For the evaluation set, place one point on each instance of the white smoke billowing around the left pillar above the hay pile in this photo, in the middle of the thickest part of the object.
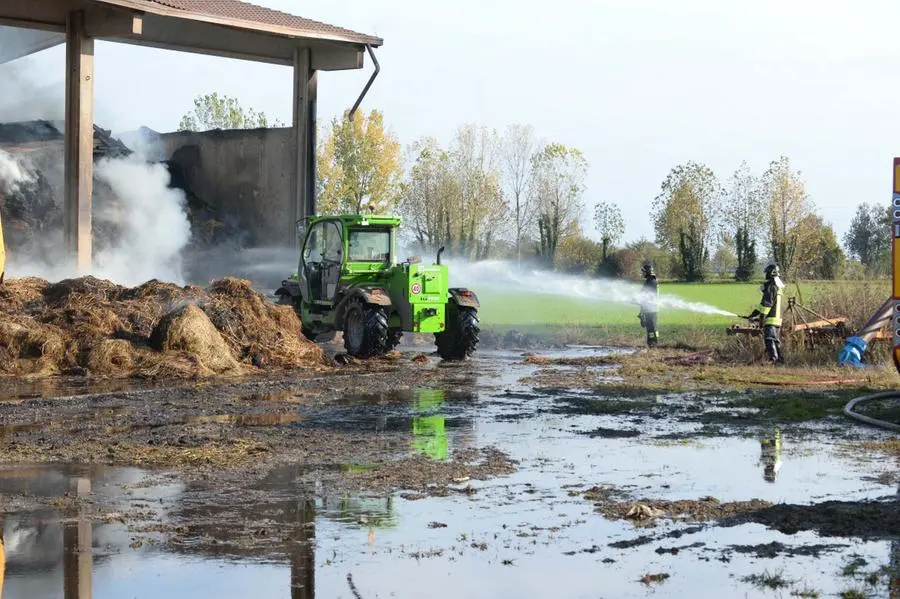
(140, 225)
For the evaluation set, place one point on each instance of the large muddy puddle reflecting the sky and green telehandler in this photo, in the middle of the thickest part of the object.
(107, 533)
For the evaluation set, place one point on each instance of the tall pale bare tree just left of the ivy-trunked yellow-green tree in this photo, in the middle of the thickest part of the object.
(518, 150)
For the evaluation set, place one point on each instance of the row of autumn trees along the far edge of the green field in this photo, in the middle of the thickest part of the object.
(511, 195)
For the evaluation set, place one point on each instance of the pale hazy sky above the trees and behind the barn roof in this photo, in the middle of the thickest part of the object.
(637, 85)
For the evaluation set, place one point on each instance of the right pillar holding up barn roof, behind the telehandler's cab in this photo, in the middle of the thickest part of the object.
(301, 177)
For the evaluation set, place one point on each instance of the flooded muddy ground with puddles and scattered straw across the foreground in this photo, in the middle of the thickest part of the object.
(574, 472)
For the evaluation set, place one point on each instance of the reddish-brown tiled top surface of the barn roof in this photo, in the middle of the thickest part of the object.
(245, 11)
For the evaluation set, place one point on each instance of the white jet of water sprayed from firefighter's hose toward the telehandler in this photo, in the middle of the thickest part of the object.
(500, 275)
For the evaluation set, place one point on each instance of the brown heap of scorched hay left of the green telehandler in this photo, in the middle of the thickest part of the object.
(93, 327)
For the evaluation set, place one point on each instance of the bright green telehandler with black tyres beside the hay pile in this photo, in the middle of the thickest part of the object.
(348, 279)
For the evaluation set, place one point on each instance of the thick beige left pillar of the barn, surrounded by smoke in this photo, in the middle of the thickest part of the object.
(79, 142)
